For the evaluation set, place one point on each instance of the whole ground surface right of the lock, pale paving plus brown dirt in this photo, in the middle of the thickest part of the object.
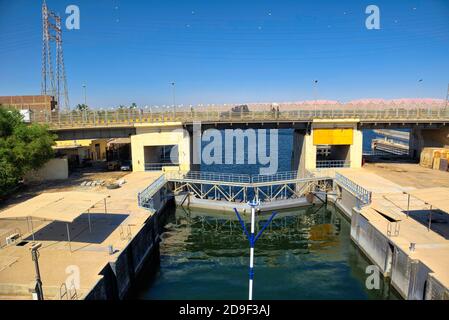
(388, 183)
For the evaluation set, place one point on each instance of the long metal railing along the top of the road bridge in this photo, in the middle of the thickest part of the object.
(370, 112)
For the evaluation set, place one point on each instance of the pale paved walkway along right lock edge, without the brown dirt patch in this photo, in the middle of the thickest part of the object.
(432, 246)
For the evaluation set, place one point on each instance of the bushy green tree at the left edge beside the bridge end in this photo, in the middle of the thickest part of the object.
(23, 147)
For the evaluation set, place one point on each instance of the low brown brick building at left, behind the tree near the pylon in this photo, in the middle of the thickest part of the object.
(33, 103)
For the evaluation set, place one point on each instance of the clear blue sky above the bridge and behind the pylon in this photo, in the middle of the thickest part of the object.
(232, 51)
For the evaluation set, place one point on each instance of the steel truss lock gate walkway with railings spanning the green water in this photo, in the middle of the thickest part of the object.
(231, 186)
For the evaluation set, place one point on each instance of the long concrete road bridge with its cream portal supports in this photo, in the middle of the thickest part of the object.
(338, 127)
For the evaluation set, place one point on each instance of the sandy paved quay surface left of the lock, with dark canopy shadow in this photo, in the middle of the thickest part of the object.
(89, 250)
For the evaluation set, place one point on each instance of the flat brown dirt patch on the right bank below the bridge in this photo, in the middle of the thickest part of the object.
(410, 174)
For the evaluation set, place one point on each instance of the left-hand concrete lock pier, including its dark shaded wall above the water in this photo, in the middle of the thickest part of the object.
(87, 270)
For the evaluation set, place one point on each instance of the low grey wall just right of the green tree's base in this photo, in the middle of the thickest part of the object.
(55, 169)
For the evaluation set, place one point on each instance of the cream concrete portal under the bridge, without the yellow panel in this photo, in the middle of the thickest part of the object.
(158, 135)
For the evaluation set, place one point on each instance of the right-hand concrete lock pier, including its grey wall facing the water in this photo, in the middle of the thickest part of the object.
(415, 258)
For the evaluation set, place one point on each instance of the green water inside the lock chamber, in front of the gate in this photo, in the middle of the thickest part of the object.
(306, 253)
